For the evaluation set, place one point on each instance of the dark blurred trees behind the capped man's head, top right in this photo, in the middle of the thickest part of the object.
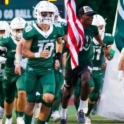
(106, 8)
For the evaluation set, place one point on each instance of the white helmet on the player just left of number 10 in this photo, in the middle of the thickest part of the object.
(17, 23)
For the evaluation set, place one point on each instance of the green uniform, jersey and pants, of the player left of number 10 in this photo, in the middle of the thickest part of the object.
(11, 81)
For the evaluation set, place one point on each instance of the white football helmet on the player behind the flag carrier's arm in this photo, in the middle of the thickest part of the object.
(98, 20)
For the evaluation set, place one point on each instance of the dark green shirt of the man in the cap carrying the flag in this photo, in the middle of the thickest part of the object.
(87, 53)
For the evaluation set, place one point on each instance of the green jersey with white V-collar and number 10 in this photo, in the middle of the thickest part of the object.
(42, 41)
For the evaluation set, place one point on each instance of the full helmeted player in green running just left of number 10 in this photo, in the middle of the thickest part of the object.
(12, 82)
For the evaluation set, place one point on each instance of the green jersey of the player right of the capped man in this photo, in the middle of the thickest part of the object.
(108, 39)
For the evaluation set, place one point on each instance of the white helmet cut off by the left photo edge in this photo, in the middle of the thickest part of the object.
(4, 26)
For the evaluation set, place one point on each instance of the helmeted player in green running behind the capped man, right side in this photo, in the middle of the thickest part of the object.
(97, 73)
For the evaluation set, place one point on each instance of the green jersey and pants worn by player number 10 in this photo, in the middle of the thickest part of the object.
(41, 70)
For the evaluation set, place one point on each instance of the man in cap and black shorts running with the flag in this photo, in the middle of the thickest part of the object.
(85, 67)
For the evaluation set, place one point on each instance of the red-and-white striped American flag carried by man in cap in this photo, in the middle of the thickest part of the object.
(75, 36)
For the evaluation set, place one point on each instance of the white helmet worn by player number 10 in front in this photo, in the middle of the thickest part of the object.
(44, 6)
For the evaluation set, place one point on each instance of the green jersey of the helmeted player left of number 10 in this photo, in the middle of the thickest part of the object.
(9, 43)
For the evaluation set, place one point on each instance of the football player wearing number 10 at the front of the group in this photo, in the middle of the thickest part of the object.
(39, 45)
